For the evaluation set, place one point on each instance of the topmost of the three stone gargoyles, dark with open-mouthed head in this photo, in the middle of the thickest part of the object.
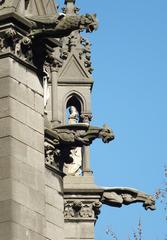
(61, 26)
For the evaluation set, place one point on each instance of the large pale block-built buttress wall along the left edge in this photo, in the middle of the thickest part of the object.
(22, 181)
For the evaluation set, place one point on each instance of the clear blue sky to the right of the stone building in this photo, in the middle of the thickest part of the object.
(129, 55)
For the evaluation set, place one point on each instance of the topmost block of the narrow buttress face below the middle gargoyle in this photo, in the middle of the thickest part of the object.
(53, 181)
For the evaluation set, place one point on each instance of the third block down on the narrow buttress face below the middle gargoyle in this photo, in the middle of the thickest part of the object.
(55, 216)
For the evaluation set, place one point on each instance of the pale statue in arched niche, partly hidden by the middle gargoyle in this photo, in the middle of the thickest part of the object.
(74, 168)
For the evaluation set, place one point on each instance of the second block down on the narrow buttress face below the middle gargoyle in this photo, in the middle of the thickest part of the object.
(54, 198)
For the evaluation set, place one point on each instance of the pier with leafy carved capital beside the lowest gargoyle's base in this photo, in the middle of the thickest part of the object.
(81, 211)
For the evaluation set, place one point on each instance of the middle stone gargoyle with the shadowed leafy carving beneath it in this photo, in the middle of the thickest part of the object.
(66, 138)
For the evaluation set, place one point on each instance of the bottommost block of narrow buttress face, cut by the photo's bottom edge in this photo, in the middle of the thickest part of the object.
(53, 232)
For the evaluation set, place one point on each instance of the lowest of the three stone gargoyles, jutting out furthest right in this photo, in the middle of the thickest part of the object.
(116, 197)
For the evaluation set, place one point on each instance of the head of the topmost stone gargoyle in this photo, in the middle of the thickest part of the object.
(89, 22)
